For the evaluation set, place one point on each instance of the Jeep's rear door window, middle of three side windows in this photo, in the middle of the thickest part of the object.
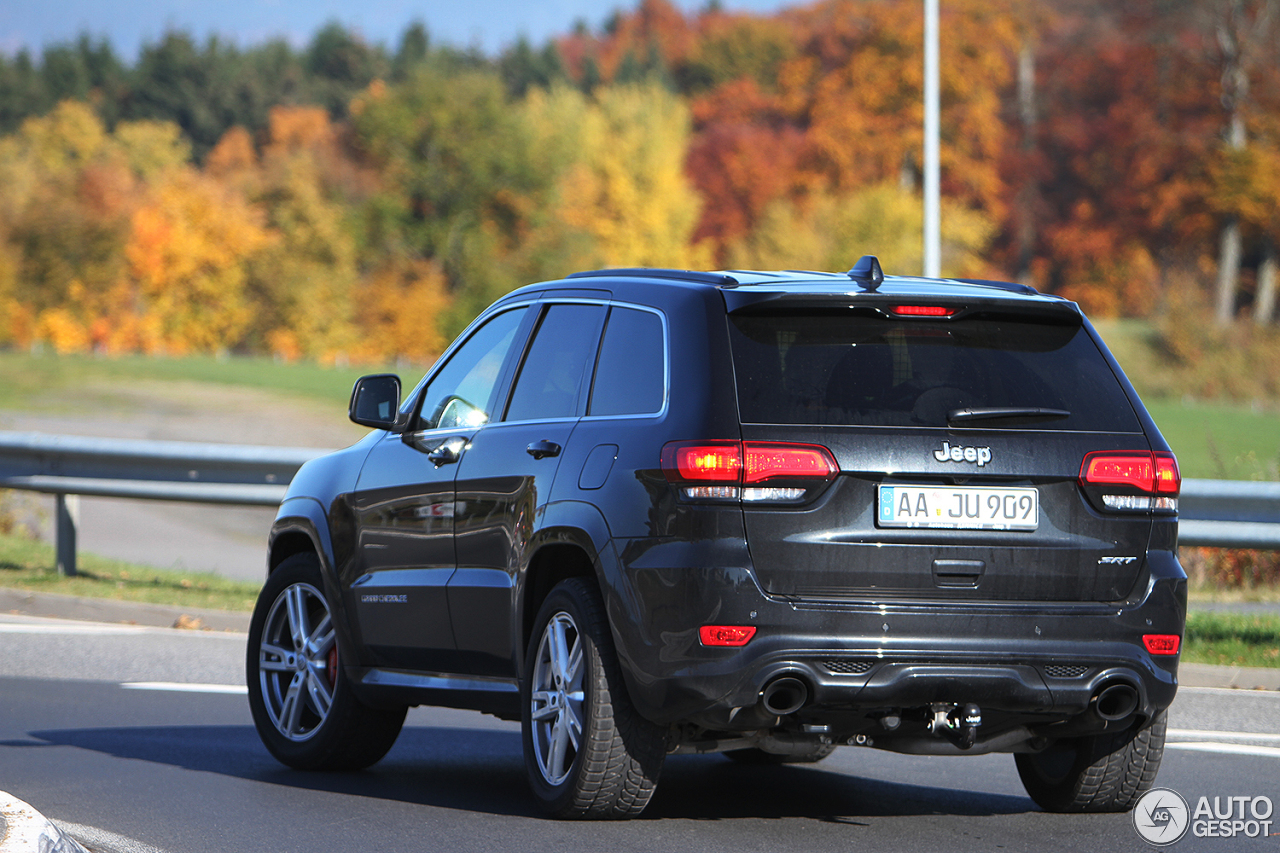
(552, 376)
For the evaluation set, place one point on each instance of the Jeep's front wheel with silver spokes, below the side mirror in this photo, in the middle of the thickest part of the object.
(303, 705)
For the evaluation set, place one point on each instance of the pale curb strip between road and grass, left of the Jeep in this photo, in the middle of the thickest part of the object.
(107, 610)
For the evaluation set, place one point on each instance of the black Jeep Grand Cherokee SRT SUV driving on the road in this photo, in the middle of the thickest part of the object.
(655, 512)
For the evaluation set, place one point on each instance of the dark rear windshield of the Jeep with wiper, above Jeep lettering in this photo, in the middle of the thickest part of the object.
(854, 370)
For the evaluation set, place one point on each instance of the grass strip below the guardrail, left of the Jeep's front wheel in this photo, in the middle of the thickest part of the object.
(30, 565)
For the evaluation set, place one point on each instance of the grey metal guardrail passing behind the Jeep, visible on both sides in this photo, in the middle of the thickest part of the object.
(1226, 514)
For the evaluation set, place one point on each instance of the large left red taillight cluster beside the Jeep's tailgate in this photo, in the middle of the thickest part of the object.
(757, 472)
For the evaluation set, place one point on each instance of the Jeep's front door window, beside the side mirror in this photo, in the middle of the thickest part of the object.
(461, 394)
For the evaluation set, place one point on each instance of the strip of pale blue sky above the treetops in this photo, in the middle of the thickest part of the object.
(490, 25)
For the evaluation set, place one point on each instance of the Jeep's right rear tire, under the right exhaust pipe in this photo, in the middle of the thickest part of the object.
(1107, 773)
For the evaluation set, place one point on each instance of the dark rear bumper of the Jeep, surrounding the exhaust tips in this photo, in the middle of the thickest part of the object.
(1027, 664)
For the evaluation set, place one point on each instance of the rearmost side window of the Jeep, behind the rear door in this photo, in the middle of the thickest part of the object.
(630, 378)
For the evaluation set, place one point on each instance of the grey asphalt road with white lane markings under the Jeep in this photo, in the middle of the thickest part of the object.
(162, 769)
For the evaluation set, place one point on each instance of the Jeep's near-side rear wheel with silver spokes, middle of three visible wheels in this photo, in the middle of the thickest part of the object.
(588, 754)
